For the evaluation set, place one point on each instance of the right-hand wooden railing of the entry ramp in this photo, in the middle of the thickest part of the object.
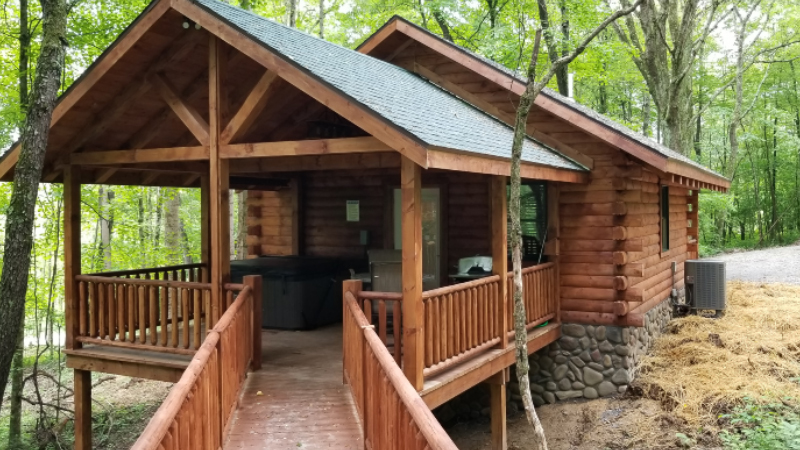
(393, 415)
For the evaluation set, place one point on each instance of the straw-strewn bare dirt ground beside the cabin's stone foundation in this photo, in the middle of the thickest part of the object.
(699, 370)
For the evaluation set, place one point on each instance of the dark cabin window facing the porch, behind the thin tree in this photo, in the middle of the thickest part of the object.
(533, 219)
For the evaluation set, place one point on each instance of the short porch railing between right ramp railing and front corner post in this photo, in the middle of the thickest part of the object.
(384, 308)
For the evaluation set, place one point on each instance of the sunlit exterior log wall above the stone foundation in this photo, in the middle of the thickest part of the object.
(611, 255)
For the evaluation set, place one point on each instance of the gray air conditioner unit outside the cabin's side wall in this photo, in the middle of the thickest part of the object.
(705, 284)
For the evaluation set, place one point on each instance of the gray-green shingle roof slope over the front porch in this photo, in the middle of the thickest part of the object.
(431, 114)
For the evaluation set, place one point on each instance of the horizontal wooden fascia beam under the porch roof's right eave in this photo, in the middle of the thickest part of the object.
(468, 162)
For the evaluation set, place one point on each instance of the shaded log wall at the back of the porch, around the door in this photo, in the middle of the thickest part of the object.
(323, 230)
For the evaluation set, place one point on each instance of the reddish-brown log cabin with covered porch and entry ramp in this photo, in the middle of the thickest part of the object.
(384, 172)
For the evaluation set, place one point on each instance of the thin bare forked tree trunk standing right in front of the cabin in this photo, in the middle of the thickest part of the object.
(532, 90)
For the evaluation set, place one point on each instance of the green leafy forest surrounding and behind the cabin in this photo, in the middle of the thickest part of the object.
(716, 80)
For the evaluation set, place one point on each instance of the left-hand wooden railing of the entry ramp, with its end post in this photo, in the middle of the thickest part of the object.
(198, 409)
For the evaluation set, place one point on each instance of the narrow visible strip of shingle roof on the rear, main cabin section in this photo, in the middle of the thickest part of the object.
(647, 142)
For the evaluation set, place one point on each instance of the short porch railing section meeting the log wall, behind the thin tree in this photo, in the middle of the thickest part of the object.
(540, 294)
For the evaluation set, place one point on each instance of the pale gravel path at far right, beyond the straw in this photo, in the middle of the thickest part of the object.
(772, 265)
